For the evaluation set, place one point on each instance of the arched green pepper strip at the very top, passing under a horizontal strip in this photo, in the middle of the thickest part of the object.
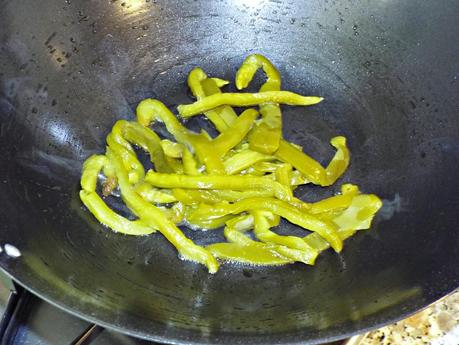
(266, 134)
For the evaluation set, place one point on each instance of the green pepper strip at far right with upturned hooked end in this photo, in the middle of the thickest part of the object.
(312, 169)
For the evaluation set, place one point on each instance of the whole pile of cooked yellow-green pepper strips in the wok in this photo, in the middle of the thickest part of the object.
(242, 180)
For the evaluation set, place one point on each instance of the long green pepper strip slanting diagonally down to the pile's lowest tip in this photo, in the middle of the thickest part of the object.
(152, 215)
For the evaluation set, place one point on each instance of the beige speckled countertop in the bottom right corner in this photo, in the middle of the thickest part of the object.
(435, 325)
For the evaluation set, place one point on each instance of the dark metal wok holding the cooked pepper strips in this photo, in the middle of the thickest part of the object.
(388, 71)
